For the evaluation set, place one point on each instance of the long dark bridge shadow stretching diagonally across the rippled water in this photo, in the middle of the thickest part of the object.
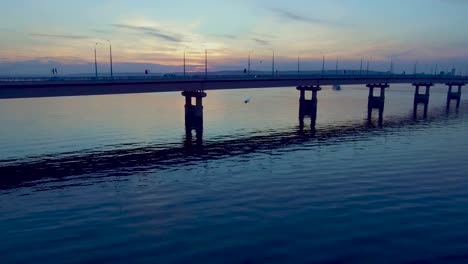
(126, 162)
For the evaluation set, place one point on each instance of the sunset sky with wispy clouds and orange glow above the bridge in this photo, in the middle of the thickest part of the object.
(153, 33)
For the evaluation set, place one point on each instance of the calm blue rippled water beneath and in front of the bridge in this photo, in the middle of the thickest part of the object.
(116, 179)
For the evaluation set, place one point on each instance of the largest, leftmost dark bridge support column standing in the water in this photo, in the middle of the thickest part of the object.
(194, 114)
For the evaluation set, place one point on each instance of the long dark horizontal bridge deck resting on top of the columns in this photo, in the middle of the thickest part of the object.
(70, 87)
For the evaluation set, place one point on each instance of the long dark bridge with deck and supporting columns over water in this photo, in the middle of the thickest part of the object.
(196, 87)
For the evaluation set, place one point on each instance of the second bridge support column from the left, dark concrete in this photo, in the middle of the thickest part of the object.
(308, 107)
